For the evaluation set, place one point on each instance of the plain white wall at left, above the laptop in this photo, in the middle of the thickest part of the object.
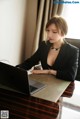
(12, 15)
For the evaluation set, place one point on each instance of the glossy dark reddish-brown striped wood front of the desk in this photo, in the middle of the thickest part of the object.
(27, 107)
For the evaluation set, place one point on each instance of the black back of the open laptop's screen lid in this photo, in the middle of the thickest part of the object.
(13, 78)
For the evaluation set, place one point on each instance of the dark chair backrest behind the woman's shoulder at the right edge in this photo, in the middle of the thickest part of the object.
(76, 42)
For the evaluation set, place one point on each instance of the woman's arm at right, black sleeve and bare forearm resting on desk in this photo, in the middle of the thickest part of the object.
(68, 72)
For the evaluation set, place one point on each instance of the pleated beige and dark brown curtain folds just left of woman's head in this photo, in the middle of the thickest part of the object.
(47, 9)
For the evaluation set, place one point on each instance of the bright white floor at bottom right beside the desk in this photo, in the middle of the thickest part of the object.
(71, 106)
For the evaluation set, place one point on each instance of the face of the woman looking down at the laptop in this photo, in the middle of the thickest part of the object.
(53, 35)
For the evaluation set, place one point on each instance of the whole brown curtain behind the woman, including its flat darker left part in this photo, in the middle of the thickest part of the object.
(45, 9)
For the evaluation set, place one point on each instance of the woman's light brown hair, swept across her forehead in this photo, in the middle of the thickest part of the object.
(60, 23)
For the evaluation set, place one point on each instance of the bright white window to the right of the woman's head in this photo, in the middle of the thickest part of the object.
(72, 16)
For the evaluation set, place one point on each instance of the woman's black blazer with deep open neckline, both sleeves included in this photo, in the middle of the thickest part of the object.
(66, 63)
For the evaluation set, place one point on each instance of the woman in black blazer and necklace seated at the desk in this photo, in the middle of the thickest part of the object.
(56, 55)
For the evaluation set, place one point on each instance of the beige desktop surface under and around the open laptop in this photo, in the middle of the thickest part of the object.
(54, 87)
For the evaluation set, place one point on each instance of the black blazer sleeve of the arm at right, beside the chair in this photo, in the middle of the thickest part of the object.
(69, 73)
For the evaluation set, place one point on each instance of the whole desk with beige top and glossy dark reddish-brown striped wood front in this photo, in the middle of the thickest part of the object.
(41, 105)
